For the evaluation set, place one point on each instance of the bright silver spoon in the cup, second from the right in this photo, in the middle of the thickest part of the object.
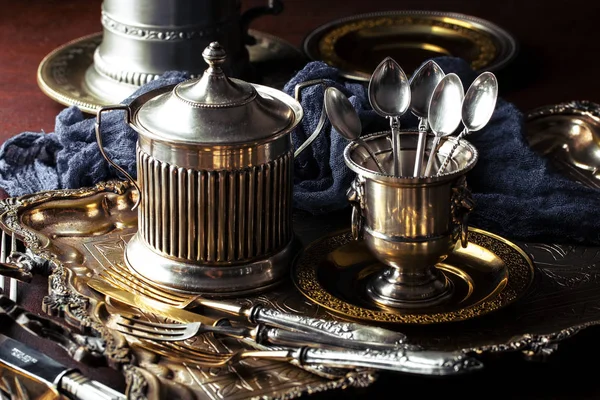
(444, 112)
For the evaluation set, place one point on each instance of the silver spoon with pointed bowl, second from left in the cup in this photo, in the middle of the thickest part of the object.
(389, 95)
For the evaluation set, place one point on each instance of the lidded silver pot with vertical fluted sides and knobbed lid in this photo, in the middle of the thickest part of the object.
(214, 169)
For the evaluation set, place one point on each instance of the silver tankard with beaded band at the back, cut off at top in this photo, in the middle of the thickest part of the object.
(142, 39)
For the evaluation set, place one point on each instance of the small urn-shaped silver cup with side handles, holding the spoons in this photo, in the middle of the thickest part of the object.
(410, 224)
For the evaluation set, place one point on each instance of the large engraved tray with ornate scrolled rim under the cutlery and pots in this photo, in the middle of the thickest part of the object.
(82, 230)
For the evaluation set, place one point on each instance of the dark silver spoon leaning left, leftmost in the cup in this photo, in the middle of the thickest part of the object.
(344, 119)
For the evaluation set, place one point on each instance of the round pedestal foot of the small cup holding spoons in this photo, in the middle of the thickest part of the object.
(397, 289)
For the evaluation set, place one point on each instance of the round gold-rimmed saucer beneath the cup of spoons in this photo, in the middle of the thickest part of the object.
(489, 274)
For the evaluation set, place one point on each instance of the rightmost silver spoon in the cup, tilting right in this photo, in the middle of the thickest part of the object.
(477, 109)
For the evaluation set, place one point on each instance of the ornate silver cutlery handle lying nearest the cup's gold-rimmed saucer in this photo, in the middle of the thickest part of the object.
(330, 332)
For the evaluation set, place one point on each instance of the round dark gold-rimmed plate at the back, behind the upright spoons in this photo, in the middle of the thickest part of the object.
(357, 44)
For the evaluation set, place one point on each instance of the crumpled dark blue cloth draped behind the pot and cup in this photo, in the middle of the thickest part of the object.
(517, 193)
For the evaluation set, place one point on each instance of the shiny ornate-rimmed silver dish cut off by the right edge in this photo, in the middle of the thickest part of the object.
(569, 135)
